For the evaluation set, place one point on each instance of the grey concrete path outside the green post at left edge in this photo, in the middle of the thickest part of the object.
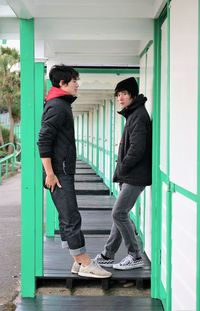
(9, 239)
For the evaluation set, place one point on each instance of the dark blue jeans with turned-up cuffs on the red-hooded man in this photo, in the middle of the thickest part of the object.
(69, 217)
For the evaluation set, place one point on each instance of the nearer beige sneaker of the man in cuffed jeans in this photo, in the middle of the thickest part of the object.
(93, 270)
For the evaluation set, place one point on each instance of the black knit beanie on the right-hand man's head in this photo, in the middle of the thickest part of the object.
(130, 85)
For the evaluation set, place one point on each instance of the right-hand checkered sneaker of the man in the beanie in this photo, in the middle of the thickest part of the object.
(129, 263)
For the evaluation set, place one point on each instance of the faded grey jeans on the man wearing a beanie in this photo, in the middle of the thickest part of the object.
(122, 226)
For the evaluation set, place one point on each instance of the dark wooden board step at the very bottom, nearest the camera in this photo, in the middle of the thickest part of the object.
(98, 303)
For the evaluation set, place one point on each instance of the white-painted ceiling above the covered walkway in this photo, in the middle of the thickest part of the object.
(98, 33)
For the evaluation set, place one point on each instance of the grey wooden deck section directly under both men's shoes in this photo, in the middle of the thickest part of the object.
(58, 262)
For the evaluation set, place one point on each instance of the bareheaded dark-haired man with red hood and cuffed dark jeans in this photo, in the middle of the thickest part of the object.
(58, 153)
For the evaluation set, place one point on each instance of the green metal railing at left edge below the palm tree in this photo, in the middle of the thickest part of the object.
(7, 161)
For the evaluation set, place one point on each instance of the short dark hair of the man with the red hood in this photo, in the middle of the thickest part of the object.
(62, 72)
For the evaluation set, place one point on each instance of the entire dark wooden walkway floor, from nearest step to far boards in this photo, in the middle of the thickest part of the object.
(95, 205)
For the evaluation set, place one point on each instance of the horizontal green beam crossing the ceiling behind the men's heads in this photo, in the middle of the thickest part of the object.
(104, 70)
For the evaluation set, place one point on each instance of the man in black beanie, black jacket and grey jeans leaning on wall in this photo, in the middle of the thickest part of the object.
(133, 173)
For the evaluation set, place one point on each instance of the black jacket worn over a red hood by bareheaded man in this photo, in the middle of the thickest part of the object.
(56, 137)
